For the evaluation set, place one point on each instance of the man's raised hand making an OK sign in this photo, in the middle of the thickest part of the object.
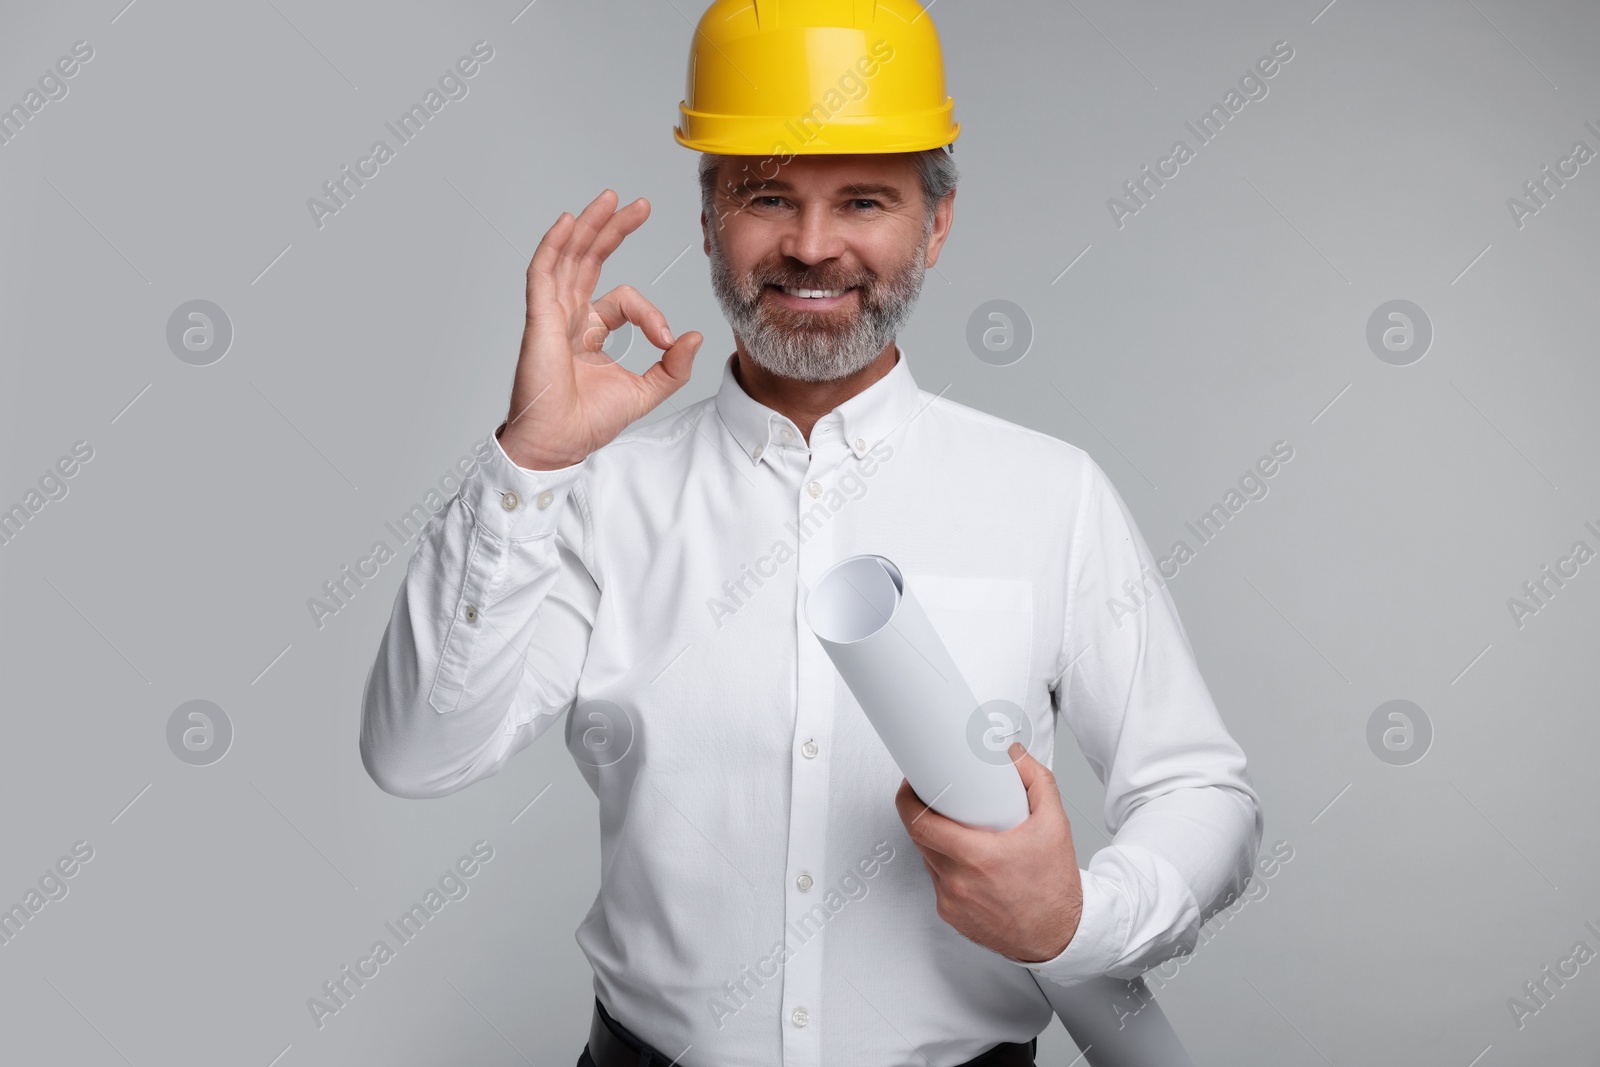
(570, 398)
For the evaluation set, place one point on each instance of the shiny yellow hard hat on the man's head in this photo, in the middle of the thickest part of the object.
(806, 78)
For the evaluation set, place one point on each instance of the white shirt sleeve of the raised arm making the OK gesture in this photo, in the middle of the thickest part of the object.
(489, 633)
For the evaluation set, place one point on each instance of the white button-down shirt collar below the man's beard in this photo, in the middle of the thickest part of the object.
(862, 422)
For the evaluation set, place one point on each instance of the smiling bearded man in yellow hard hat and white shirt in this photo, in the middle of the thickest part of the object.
(759, 901)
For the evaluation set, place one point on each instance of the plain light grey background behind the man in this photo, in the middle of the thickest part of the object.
(1228, 314)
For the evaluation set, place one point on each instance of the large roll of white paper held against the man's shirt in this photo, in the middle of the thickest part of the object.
(868, 620)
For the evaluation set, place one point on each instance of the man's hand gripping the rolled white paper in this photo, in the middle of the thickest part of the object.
(1015, 892)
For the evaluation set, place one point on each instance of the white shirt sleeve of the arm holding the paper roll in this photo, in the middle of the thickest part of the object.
(1180, 804)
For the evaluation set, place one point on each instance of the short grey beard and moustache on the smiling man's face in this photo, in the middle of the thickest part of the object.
(831, 348)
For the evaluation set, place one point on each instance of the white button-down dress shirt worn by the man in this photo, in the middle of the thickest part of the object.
(761, 901)
